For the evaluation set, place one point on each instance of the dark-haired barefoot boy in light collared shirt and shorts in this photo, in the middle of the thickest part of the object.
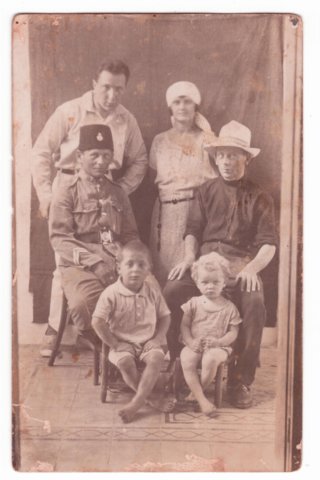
(132, 317)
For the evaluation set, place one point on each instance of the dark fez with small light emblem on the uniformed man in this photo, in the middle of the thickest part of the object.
(95, 136)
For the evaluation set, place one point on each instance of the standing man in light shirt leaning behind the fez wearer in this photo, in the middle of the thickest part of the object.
(57, 144)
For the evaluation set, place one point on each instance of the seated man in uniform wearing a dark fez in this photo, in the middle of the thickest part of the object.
(88, 220)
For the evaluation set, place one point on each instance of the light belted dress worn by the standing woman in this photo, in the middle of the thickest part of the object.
(179, 170)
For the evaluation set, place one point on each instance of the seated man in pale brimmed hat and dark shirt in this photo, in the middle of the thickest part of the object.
(235, 218)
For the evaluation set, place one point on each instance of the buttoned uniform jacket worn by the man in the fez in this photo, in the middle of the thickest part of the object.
(73, 223)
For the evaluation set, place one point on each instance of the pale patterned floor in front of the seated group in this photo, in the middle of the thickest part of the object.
(65, 427)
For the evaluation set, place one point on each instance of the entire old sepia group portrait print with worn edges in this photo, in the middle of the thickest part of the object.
(157, 315)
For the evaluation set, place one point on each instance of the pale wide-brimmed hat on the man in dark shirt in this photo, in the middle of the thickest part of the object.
(233, 134)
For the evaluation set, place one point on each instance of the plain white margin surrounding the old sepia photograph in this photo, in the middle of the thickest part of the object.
(311, 20)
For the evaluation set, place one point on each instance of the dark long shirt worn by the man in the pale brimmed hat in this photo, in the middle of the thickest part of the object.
(235, 218)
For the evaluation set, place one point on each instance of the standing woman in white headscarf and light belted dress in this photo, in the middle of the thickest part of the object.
(179, 164)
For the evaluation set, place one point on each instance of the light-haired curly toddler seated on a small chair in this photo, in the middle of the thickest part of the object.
(209, 326)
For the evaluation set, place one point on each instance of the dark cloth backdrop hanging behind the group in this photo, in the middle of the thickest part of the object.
(235, 60)
